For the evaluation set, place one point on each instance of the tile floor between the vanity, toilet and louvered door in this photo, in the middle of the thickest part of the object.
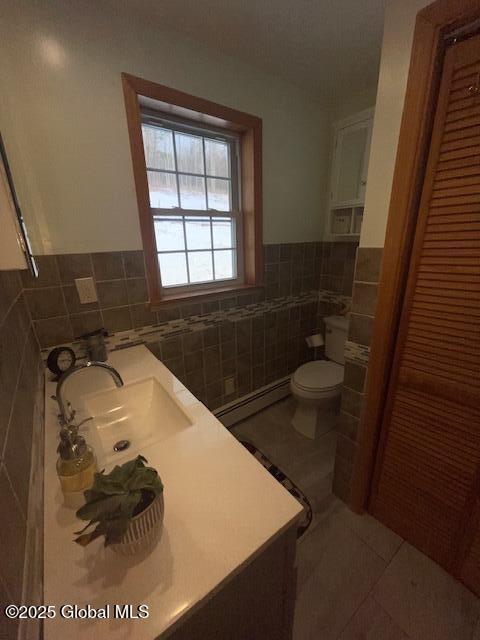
(357, 580)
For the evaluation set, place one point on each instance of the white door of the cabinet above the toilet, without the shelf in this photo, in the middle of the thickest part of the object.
(350, 165)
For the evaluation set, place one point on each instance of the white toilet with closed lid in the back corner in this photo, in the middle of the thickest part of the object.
(317, 385)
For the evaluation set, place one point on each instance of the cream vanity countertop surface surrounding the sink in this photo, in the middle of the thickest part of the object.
(221, 509)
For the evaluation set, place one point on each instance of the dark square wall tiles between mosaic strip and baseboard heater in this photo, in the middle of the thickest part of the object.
(254, 345)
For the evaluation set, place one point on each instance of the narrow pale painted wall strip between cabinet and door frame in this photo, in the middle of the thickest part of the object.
(397, 43)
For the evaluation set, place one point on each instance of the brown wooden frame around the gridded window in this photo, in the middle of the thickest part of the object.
(172, 103)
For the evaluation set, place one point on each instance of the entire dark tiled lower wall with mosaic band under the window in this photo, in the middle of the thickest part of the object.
(253, 337)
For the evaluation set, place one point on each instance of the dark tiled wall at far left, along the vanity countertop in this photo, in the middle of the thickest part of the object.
(21, 396)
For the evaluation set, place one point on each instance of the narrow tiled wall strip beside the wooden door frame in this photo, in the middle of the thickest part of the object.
(365, 288)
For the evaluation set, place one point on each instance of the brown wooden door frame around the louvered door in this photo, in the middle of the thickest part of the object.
(432, 24)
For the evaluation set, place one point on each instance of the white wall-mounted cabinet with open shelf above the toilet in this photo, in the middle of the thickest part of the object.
(348, 175)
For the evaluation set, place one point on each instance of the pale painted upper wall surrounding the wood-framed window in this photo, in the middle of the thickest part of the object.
(64, 125)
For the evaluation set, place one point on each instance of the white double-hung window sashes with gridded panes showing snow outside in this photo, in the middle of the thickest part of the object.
(192, 178)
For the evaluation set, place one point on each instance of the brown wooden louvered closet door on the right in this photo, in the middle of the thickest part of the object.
(425, 483)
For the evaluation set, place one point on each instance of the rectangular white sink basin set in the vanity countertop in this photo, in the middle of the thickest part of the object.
(141, 413)
